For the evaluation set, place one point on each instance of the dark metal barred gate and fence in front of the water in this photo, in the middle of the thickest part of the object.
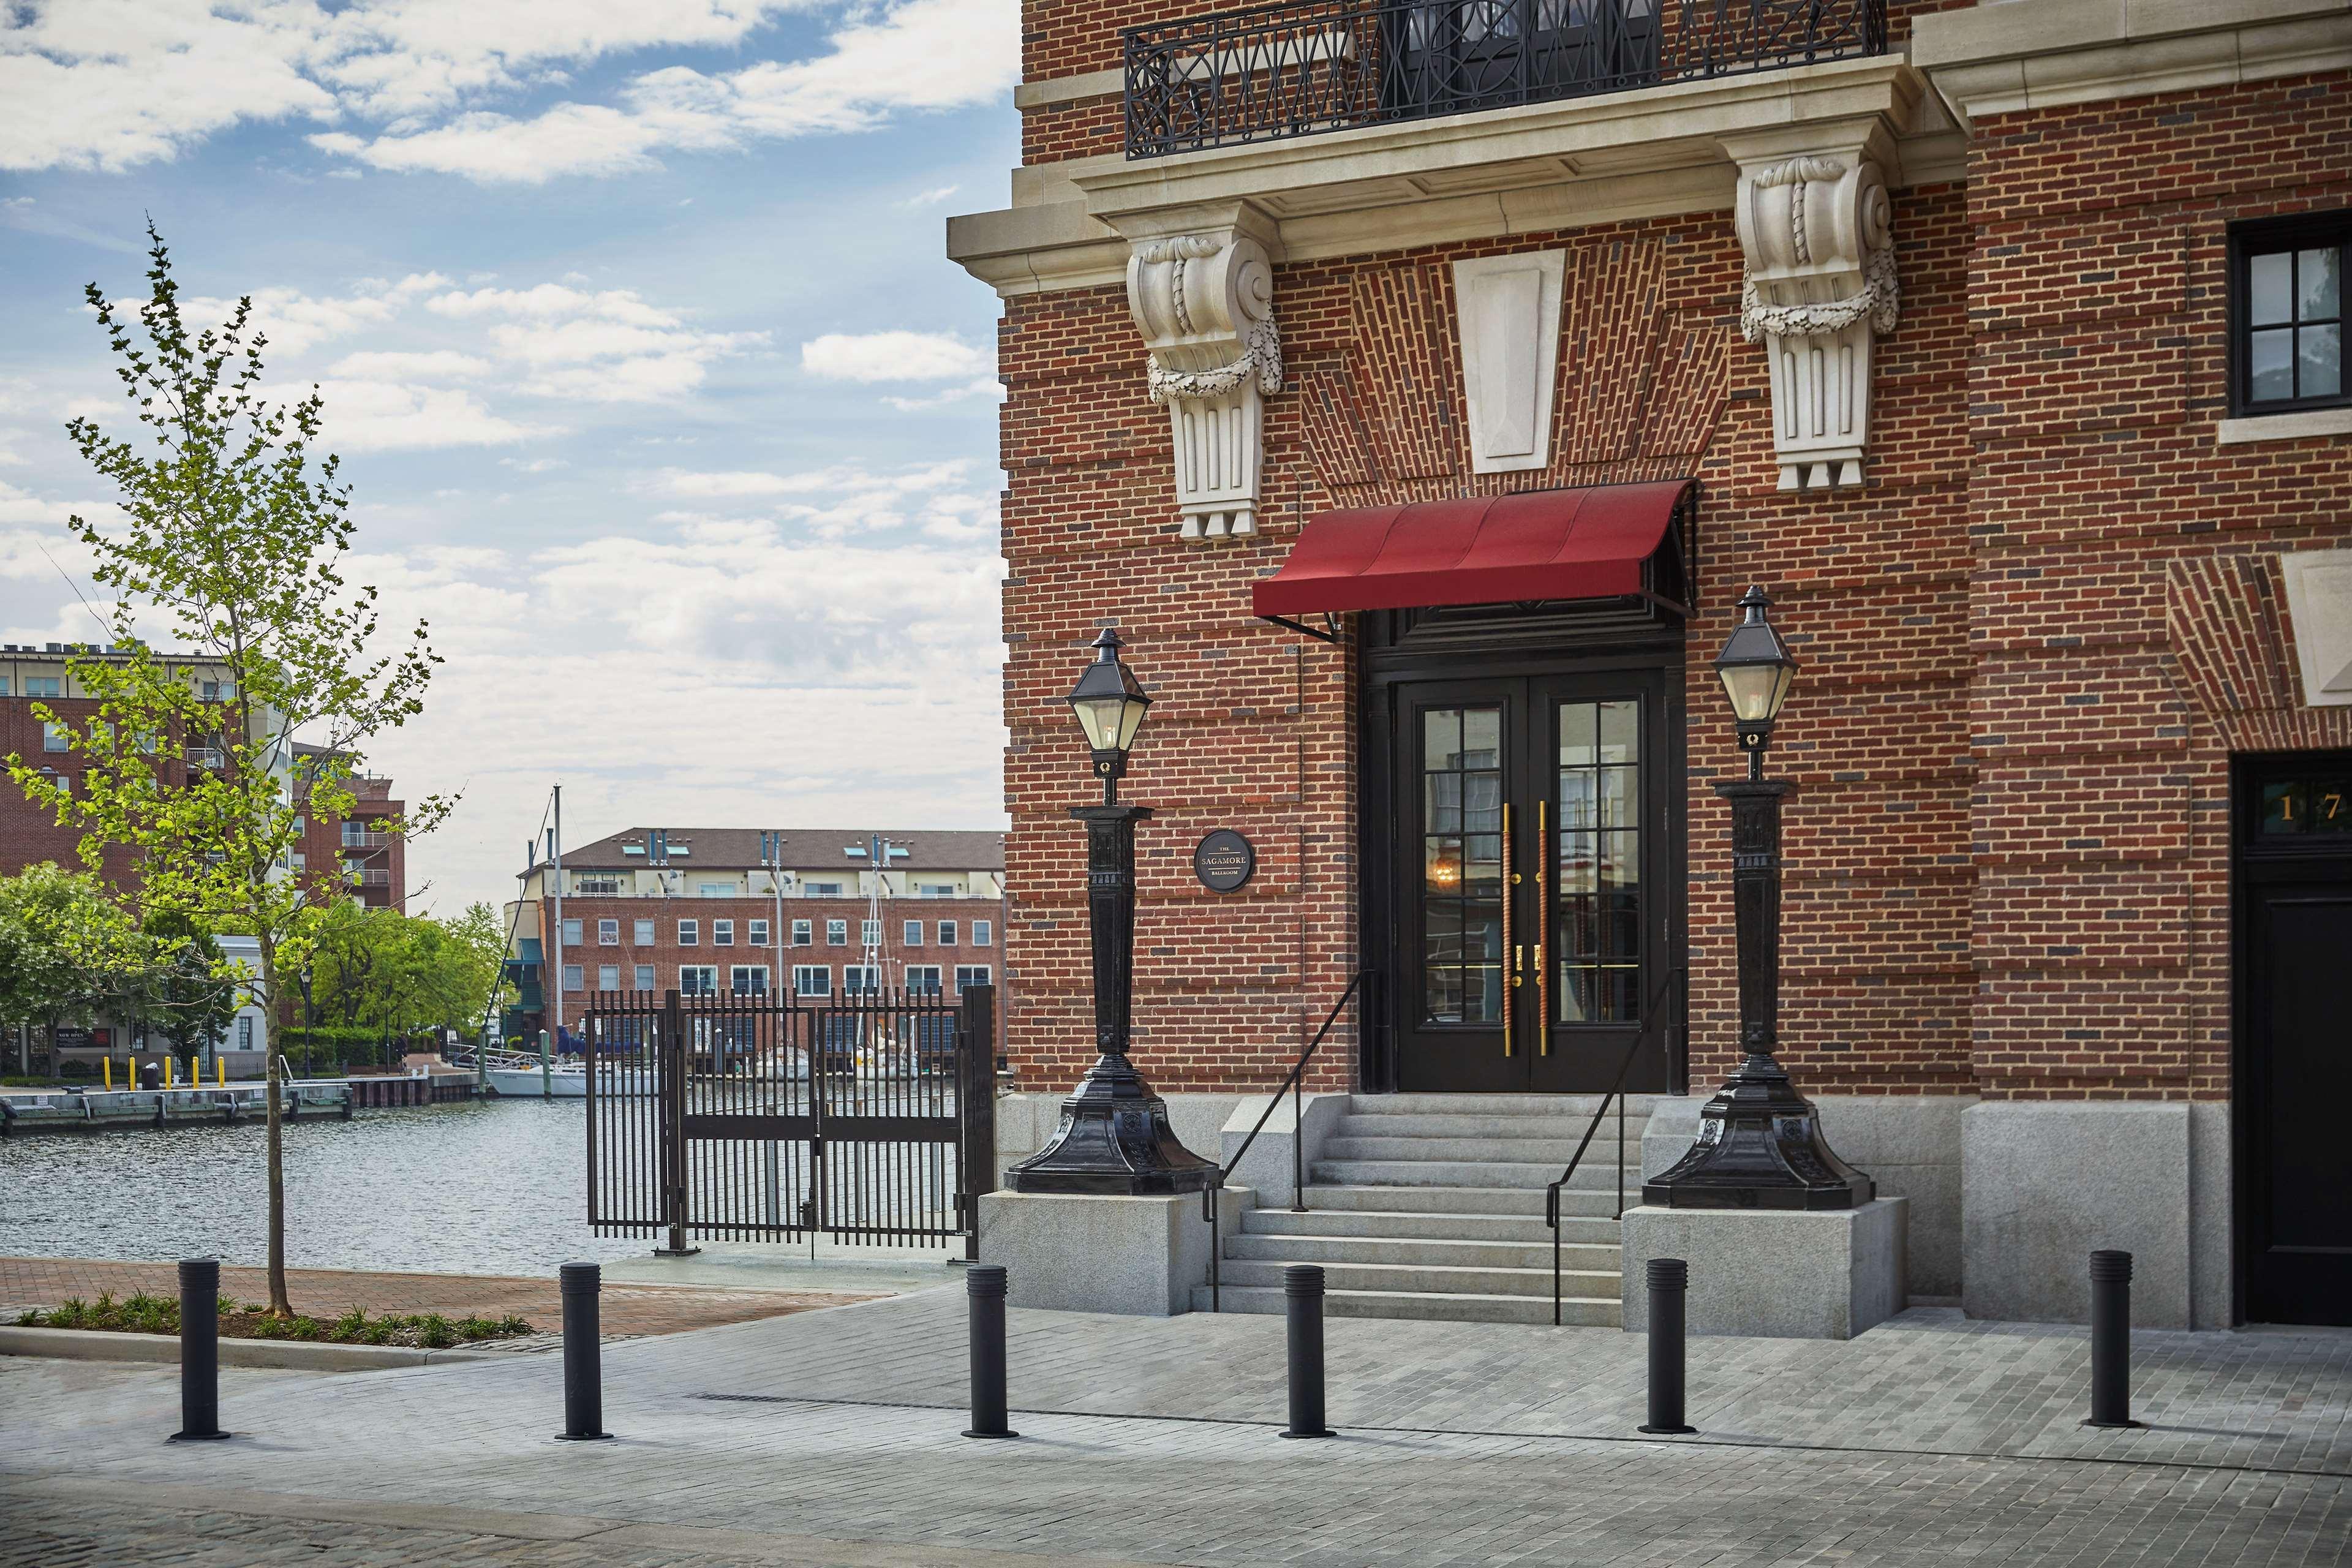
(754, 1118)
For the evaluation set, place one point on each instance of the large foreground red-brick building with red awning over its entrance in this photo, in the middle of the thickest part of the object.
(1499, 349)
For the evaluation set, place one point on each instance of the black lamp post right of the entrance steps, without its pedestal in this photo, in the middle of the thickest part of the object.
(1758, 1139)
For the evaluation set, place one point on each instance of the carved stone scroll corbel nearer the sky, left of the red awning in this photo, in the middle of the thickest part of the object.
(1205, 307)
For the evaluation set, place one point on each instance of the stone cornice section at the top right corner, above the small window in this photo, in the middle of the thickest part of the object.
(2022, 55)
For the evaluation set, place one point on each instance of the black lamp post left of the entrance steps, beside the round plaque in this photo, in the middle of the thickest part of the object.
(1114, 1137)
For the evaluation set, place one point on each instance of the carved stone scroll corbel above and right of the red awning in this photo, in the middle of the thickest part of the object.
(1822, 288)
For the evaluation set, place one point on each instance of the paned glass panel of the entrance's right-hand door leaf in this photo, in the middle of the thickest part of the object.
(1598, 871)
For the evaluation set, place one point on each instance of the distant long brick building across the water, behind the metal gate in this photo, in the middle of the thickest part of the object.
(707, 911)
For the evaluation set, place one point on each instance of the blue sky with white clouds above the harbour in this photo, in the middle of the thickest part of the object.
(639, 347)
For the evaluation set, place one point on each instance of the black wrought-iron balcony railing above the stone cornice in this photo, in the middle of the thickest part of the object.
(1309, 67)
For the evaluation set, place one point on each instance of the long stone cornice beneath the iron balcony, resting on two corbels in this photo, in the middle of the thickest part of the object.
(1542, 168)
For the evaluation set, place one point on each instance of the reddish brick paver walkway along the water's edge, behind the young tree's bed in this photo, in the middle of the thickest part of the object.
(627, 1311)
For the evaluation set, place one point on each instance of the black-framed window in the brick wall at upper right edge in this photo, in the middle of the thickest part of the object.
(2287, 314)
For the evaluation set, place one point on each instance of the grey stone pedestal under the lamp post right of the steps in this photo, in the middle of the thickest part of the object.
(1775, 1273)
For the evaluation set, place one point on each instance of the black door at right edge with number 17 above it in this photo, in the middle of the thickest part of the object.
(2294, 1162)
